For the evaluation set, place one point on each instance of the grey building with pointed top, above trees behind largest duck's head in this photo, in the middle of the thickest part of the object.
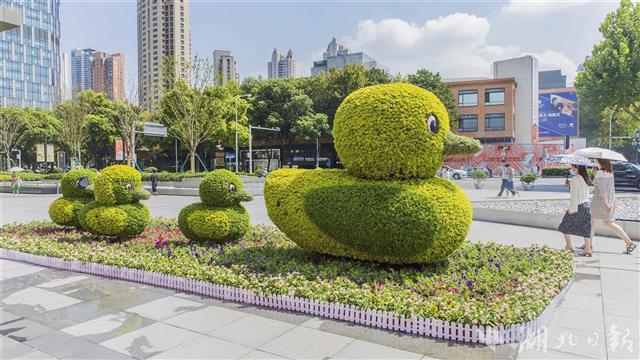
(337, 56)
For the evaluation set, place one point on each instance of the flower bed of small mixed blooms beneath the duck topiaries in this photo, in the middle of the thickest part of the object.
(479, 284)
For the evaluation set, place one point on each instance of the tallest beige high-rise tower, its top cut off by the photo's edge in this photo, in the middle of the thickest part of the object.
(163, 32)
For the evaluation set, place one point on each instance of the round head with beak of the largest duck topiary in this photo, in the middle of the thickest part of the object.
(395, 131)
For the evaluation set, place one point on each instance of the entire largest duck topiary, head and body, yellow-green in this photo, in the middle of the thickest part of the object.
(387, 206)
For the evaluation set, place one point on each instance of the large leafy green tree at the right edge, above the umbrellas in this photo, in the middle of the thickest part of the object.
(611, 75)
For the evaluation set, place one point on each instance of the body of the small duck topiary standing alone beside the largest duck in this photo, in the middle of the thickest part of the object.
(200, 222)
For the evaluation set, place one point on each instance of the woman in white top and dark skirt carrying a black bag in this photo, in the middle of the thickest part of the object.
(577, 219)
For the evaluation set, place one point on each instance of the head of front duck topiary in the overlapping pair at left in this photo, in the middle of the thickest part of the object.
(119, 184)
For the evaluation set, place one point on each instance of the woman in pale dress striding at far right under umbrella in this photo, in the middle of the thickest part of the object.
(603, 203)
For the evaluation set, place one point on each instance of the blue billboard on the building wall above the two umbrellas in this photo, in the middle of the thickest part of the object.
(558, 114)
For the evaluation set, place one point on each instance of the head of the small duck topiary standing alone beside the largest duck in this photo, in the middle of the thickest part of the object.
(222, 188)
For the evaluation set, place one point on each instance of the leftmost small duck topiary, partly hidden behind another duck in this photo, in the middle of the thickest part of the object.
(75, 195)
